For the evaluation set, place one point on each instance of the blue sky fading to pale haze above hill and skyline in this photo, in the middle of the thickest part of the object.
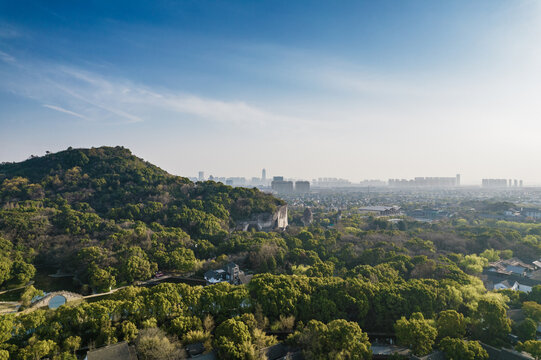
(306, 89)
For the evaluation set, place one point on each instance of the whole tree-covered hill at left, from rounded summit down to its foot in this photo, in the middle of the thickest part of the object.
(111, 217)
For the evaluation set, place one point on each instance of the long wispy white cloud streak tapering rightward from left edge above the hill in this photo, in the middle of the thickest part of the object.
(94, 96)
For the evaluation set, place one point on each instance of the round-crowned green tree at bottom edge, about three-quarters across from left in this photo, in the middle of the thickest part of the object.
(417, 333)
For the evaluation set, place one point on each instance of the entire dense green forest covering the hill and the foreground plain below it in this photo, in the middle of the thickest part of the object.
(113, 219)
